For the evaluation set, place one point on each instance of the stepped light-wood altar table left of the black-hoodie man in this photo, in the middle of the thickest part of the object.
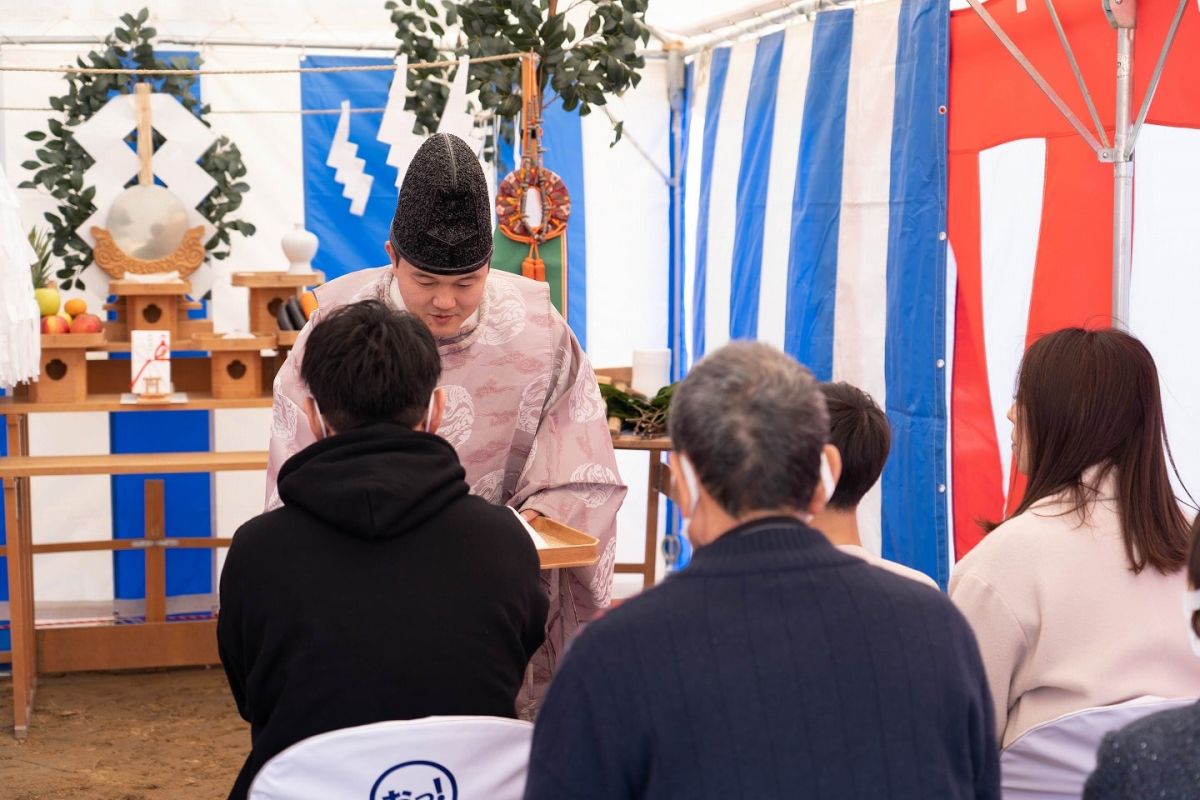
(154, 643)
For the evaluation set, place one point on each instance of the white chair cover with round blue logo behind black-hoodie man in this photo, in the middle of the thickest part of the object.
(435, 759)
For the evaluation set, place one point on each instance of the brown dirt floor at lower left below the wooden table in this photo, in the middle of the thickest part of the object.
(131, 736)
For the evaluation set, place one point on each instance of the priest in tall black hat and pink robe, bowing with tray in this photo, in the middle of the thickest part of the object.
(523, 406)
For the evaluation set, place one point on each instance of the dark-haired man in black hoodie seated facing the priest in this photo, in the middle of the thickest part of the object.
(381, 590)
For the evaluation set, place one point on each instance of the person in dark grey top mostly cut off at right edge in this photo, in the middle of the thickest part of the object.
(1157, 756)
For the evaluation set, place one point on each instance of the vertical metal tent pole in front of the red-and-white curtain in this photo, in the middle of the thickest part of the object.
(1123, 187)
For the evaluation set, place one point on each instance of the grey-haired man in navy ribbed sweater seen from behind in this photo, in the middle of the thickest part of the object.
(776, 666)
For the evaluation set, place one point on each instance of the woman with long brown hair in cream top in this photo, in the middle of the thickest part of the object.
(1075, 598)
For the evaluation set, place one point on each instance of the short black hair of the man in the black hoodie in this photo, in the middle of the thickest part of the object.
(368, 363)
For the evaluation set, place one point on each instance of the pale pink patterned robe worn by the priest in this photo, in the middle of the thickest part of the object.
(526, 417)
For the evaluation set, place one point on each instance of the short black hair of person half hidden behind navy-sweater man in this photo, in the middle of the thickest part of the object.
(860, 430)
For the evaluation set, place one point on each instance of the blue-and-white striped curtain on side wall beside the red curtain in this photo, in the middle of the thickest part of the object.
(814, 220)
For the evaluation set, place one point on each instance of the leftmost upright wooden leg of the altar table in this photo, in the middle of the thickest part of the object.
(21, 584)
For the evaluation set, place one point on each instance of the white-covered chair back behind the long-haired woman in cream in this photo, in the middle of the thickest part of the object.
(1053, 761)
